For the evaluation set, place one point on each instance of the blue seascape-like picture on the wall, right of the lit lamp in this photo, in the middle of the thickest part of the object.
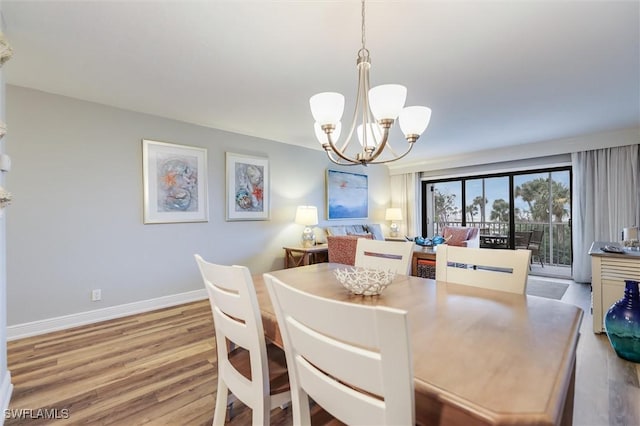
(347, 195)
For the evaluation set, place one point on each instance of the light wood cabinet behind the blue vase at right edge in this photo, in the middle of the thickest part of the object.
(608, 272)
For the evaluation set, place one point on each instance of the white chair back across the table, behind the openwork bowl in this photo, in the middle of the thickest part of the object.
(387, 255)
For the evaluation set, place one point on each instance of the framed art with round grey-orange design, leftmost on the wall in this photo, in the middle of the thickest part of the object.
(174, 183)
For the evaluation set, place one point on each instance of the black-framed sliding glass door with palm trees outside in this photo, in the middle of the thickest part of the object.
(512, 210)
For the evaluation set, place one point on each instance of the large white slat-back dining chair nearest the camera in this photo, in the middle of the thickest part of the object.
(354, 361)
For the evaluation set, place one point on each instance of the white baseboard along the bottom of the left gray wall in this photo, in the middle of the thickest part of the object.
(35, 328)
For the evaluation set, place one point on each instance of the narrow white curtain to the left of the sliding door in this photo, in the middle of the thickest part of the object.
(404, 194)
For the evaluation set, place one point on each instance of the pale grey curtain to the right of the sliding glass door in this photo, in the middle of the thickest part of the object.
(606, 198)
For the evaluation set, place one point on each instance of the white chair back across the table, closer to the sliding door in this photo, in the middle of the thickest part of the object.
(495, 269)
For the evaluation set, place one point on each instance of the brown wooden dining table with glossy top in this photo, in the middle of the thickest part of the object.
(480, 357)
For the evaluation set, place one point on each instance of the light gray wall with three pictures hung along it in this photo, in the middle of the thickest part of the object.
(76, 221)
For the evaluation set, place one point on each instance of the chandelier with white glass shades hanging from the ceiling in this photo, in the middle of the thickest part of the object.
(376, 110)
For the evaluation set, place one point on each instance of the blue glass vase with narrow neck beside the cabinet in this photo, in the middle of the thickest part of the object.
(622, 323)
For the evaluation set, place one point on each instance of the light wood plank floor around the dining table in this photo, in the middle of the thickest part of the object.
(160, 368)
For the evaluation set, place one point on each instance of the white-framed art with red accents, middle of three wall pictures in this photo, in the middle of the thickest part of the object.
(248, 191)
